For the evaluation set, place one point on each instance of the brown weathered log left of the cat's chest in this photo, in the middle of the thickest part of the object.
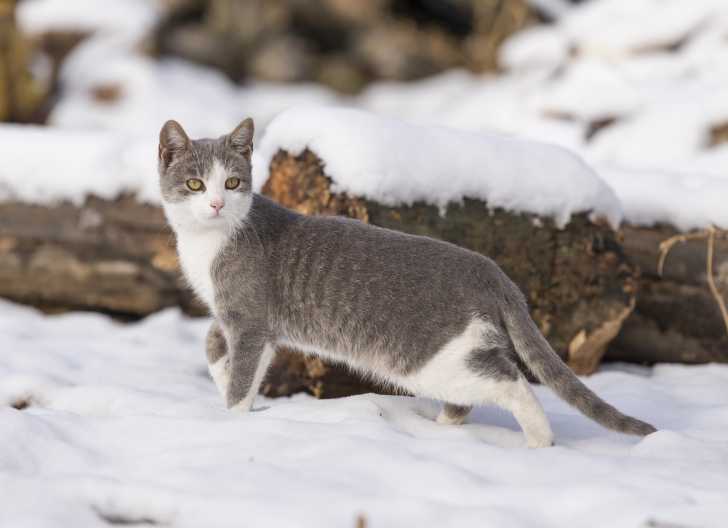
(116, 257)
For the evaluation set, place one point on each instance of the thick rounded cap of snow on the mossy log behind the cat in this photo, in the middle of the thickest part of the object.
(395, 162)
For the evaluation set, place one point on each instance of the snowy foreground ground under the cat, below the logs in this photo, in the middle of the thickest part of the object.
(125, 423)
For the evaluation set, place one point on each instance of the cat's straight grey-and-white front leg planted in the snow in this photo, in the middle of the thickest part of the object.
(250, 355)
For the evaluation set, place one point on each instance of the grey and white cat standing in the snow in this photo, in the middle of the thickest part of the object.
(417, 313)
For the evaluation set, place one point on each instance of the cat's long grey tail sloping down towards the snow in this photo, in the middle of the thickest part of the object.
(532, 347)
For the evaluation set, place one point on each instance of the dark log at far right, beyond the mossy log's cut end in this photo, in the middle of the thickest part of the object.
(676, 318)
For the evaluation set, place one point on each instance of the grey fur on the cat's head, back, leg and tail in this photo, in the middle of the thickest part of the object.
(367, 295)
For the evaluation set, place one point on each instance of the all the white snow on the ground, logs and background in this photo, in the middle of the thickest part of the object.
(120, 424)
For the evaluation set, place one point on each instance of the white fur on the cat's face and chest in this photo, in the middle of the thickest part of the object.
(201, 233)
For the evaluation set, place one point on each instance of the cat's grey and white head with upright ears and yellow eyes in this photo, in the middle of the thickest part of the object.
(205, 183)
